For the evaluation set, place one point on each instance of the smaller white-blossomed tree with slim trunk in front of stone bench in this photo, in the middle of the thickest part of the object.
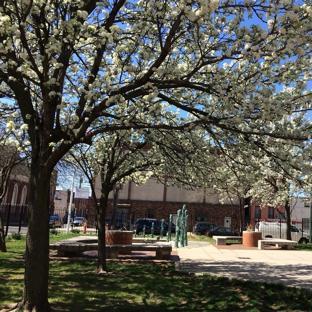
(114, 159)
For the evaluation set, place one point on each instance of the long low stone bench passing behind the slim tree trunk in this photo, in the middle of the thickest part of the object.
(73, 248)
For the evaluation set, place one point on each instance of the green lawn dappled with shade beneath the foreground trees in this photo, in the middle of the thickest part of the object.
(74, 286)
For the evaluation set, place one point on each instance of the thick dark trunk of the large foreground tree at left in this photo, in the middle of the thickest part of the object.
(37, 241)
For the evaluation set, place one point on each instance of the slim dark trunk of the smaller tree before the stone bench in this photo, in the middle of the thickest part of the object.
(102, 267)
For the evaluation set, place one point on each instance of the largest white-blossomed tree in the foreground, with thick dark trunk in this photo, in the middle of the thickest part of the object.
(65, 64)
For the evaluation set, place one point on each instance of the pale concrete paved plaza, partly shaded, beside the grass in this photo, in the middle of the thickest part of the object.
(290, 267)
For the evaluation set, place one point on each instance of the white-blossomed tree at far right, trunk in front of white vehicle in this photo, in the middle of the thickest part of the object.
(276, 182)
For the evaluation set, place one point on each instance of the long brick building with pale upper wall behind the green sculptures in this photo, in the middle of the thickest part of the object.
(155, 200)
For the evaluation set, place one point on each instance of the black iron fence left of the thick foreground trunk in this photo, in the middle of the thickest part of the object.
(13, 215)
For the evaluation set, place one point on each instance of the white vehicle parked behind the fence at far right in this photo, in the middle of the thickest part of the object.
(278, 230)
